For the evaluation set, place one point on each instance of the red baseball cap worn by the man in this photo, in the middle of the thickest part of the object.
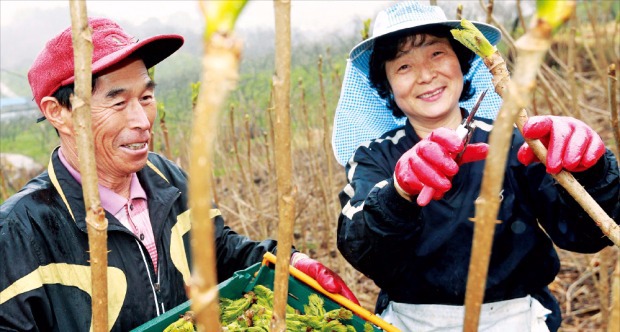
(54, 66)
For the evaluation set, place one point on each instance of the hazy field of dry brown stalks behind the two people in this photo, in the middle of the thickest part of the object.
(244, 165)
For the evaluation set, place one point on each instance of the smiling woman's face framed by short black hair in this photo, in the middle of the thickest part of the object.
(426, 79)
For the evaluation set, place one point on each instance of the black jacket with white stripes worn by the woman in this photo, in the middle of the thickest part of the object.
(421, 255)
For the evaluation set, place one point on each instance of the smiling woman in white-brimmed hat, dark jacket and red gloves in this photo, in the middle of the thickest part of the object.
(410, 196)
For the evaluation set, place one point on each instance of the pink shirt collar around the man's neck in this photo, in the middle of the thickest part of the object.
(110, 201)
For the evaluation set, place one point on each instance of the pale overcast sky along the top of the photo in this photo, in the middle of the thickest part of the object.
(27, 24)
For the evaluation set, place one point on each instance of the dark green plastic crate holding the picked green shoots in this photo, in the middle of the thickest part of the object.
(244, 281)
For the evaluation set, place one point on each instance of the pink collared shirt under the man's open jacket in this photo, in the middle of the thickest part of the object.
(133, 213)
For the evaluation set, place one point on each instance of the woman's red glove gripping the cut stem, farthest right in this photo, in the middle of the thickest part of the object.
(570, 143)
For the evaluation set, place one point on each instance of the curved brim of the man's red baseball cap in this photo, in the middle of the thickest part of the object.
(151, 50)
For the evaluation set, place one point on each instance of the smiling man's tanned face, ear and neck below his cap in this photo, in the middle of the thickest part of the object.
(123, 111)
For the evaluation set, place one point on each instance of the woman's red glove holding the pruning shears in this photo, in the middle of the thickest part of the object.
(427, 168)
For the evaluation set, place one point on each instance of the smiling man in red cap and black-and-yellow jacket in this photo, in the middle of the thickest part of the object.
(45, 275)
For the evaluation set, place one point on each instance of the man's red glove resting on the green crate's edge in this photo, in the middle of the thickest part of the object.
(327, 278)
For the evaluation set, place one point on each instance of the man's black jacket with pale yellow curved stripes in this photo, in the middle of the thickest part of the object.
(44, 259)
